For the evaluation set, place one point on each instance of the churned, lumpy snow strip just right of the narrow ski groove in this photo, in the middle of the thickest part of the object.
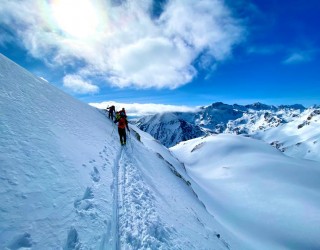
(139, 225)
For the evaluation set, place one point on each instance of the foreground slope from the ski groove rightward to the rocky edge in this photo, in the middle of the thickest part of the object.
(144, 217)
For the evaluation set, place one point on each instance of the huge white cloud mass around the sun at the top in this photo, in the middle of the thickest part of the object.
(128, 47)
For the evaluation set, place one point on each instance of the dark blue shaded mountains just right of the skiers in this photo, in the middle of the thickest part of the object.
(173, 127)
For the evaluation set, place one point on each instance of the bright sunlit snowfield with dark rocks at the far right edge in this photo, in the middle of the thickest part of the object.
(299, 138)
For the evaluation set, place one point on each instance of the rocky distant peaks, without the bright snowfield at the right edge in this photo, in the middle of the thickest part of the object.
(217, 118)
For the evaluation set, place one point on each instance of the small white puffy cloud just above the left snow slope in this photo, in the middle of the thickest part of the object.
(78, 85)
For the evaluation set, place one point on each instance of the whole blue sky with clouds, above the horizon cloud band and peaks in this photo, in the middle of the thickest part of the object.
(183, 52)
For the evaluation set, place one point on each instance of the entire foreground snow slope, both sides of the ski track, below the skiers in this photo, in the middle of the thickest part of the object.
(66, 183)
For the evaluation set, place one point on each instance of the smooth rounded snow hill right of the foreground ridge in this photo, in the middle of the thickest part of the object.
(270, 200)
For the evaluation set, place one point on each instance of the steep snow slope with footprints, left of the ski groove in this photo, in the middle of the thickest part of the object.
(56, 166)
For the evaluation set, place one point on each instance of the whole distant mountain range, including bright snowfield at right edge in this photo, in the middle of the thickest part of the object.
(274, 124)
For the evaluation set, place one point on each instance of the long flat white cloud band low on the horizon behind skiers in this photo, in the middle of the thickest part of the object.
(138, 109)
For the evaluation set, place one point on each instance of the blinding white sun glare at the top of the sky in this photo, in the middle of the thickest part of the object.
(77, 18)
